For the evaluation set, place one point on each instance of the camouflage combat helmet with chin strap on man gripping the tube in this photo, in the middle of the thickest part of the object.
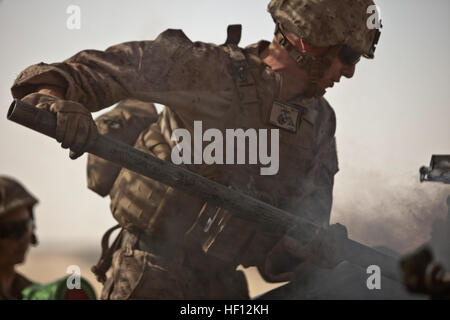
(346, 26)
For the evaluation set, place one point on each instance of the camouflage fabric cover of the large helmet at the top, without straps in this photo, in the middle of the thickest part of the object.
(325, 23)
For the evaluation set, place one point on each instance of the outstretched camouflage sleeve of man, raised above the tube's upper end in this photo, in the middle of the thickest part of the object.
(168, 70)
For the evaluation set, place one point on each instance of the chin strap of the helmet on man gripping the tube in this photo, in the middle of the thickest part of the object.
(315, 66)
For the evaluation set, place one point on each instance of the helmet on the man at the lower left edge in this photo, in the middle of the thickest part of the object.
(13, 196)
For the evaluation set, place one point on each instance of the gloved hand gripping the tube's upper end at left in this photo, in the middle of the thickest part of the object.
(75, 128)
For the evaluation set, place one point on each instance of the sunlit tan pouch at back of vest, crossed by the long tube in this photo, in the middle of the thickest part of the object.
(141, 204)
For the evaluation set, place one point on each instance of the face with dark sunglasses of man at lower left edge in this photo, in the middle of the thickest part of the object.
(12, 251)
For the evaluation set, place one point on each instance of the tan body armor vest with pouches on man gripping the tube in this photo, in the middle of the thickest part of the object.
(142, 204)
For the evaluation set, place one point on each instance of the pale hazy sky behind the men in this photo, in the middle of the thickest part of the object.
(392, 116)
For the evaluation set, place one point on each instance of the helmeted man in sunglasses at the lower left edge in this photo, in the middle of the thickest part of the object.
(16, 234)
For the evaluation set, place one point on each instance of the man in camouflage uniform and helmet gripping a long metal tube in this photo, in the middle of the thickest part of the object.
(177, 245)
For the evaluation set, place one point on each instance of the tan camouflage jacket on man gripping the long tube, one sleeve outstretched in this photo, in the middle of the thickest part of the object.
(200, 81)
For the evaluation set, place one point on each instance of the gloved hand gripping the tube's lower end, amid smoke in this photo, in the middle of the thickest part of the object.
(289, 254)
